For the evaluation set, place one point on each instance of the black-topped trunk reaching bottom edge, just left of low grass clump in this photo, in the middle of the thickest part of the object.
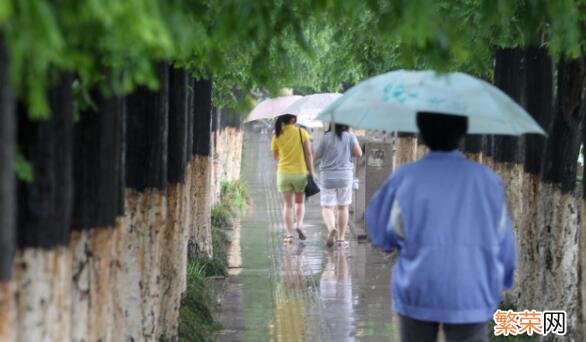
(174, 261)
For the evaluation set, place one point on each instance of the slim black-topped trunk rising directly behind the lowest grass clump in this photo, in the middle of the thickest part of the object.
(200, 236)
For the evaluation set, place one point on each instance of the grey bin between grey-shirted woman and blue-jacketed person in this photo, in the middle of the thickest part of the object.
(372, 169)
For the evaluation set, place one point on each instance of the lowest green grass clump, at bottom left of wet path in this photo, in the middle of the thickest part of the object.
(196, 319)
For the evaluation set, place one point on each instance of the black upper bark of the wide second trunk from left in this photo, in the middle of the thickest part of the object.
(45, 204)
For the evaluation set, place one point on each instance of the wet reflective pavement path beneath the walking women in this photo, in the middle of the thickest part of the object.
(303, 291)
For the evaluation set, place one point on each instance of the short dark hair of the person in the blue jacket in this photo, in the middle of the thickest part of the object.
(440, 131)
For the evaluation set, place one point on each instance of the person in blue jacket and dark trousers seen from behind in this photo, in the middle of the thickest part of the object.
(447, 217)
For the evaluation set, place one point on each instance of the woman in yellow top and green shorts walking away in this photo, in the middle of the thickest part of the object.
(291, 149)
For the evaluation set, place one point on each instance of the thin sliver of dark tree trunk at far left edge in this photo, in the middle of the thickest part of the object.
(7, 193)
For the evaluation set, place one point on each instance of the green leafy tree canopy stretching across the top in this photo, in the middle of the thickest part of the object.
(246, 46)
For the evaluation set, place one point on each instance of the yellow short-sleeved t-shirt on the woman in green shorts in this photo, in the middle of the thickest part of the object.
(288, 144)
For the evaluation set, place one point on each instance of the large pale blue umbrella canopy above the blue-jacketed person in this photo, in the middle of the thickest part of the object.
(391, 101)
